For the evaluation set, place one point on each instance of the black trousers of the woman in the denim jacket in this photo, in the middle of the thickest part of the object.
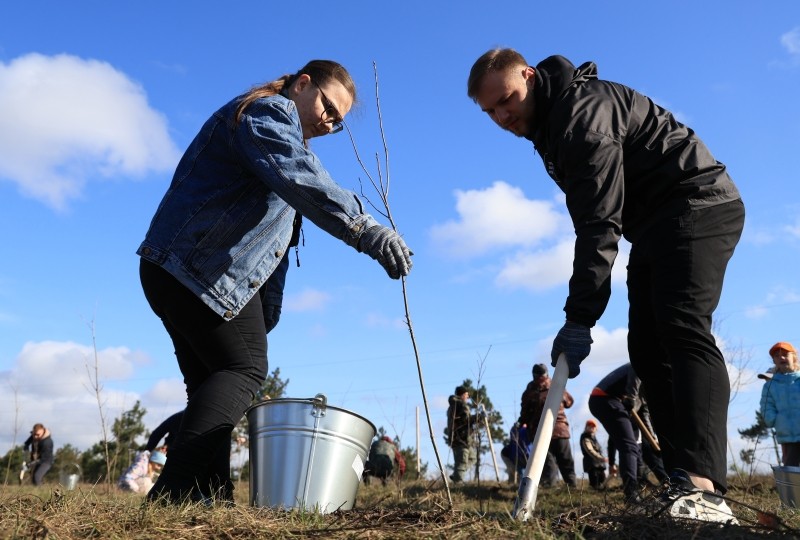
(223, 363)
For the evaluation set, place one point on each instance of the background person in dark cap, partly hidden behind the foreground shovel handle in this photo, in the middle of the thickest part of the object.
(559, 455)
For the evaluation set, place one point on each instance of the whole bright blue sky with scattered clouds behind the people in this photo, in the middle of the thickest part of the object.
(97, 102)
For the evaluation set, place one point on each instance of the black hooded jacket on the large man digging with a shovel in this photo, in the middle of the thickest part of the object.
(623, 163)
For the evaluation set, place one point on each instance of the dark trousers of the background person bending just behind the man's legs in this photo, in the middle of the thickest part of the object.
(617, 422)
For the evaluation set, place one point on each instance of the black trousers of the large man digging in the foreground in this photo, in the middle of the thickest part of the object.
(675, 275)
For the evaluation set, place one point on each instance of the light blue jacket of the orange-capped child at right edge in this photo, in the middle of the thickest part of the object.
(780, 406)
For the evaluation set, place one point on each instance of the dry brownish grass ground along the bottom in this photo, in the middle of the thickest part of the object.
(405, 511)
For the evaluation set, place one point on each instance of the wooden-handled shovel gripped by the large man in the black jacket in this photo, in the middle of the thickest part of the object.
(529, 485)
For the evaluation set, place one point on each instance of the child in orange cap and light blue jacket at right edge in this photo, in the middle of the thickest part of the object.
(779, 401)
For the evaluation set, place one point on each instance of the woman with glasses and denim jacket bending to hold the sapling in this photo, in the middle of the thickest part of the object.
(219, 234)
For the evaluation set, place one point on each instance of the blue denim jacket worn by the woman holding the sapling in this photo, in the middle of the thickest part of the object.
(225, 222)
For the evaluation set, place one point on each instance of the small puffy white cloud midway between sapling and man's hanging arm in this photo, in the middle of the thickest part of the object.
(497, 217)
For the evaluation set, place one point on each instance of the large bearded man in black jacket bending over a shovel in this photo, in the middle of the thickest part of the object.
(628, 167)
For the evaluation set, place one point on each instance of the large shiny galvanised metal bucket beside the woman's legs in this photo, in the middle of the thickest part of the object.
(306, 454)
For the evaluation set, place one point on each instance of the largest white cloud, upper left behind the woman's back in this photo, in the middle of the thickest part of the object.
(64, 120)
